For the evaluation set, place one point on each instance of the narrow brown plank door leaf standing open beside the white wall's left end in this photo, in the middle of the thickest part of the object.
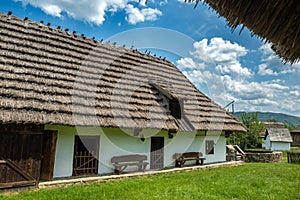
(49, 147)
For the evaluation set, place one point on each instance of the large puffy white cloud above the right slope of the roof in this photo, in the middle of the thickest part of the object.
(224, 54)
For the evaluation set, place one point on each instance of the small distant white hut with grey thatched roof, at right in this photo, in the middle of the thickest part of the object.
(277, 137)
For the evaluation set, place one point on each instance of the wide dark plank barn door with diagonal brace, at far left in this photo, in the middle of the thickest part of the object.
(20, 155)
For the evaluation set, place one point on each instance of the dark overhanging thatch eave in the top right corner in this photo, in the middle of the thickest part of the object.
(276, 21)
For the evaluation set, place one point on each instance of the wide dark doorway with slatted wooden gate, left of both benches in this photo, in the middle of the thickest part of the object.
(85, 155)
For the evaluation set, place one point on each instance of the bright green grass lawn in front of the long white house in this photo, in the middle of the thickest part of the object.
(250, 181)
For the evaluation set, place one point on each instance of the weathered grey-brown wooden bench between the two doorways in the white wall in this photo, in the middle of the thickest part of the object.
(122, 162)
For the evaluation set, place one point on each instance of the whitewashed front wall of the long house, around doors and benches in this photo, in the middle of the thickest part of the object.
(114, 142)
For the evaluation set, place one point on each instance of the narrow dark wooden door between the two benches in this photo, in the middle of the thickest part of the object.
(157, 153)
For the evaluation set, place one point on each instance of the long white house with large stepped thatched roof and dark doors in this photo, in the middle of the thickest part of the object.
(69, 104)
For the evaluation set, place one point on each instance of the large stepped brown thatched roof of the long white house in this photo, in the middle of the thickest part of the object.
(51, 76)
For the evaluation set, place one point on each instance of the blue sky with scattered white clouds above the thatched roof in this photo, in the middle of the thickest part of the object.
(224, 65)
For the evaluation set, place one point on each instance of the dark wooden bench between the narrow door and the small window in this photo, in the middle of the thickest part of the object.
(181, 158)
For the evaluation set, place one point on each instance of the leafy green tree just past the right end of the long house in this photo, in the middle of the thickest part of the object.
(252, 138)
